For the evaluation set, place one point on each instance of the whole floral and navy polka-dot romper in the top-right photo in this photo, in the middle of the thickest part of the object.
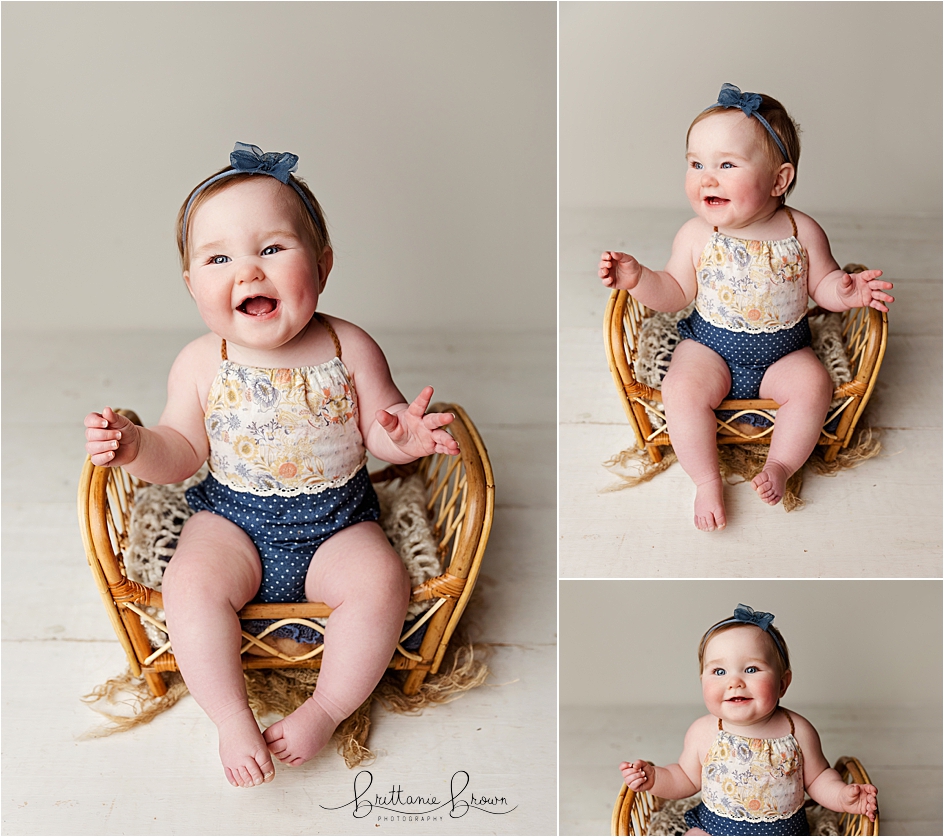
(750, 306)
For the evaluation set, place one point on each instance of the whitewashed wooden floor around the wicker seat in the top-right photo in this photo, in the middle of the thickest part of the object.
(880, 520)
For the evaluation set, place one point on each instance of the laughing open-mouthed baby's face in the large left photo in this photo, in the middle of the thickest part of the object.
(252, 272)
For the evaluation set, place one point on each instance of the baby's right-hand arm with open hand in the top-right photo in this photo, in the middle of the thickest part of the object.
(830, 286)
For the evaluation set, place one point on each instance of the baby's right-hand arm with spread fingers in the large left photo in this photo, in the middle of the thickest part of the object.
(393, 430)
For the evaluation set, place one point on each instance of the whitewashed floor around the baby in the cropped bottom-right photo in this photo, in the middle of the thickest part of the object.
(899, 747)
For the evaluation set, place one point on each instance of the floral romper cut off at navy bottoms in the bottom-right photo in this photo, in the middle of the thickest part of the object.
(751, 786)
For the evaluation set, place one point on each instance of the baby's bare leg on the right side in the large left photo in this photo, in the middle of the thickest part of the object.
(357, 573)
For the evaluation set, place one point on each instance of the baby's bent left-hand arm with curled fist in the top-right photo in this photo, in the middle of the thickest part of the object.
(665, 290)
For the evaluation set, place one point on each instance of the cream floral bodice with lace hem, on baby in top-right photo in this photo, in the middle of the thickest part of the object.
(753, 286)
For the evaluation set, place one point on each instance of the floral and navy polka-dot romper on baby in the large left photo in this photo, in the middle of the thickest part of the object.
(287, 463)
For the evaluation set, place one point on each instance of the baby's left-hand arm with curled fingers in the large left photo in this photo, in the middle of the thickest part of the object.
(169, 452)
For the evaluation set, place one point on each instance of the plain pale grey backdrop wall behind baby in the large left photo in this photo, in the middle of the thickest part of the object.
(427, 131)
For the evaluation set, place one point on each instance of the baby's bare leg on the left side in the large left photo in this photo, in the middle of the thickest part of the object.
(214, 572)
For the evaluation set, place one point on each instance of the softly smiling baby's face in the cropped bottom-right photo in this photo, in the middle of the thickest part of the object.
(741, 678)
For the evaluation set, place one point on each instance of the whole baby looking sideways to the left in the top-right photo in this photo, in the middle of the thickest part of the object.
(750, 263)
